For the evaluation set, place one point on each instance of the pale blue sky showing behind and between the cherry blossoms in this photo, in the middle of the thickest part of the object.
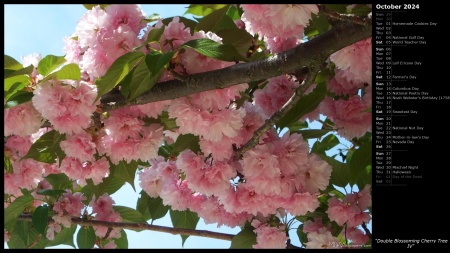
(40, 28)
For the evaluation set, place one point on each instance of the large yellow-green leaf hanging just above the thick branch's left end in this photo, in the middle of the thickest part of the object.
(118, 70)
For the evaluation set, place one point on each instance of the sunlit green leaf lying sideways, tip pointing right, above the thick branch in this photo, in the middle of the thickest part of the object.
(214, 50)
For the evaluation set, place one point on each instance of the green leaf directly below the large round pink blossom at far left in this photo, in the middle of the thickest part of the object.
(47, 148)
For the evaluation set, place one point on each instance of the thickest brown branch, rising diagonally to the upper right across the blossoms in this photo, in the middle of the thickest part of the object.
(321, 47)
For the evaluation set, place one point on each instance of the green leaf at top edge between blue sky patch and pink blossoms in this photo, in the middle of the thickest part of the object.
(216, 21)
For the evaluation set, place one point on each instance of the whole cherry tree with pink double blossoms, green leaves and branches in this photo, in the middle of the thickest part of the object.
(213, 116)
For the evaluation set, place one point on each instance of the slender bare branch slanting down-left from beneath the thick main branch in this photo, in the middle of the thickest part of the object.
(299, 92)
